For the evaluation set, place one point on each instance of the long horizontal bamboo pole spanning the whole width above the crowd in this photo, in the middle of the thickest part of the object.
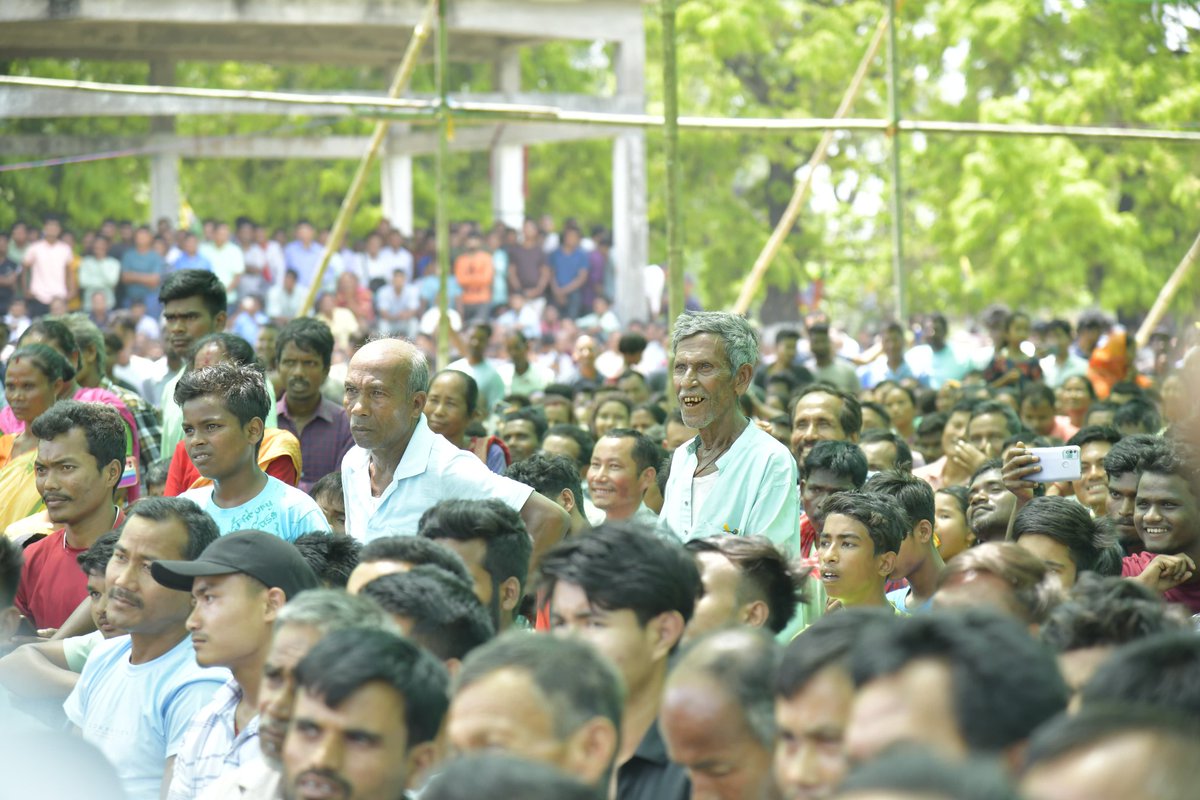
(425, 112)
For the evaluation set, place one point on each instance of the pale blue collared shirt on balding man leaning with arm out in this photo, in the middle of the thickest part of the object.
(431, 471)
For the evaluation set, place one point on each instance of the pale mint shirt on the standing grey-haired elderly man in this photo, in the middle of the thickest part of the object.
(754, 494)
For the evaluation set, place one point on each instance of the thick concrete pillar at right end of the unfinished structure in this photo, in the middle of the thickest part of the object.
(631, 233)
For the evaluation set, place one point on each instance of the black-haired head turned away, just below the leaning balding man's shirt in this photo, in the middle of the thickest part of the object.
(494, 543)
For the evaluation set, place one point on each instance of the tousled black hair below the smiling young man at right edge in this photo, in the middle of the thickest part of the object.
(1108, 611)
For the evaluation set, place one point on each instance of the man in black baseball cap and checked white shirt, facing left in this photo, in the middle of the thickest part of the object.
(239, 585)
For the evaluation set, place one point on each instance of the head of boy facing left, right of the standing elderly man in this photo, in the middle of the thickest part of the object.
(859, 548)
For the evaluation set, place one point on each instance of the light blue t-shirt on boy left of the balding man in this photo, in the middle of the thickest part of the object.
(279, 509)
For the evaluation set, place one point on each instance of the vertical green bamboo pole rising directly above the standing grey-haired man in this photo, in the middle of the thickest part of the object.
(671, 137)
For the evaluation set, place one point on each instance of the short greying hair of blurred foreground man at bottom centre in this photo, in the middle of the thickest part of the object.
(579, 684)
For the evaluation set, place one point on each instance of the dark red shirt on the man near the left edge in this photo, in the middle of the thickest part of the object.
(52, 585)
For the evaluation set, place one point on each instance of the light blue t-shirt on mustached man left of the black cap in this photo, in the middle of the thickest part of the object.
(137, 714)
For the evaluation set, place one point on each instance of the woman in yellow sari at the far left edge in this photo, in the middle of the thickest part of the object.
(37, 378)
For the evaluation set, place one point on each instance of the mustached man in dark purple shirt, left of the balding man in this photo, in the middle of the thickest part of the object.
(304, 353)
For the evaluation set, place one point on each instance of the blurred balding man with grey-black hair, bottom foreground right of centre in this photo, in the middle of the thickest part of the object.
(718, 715)
